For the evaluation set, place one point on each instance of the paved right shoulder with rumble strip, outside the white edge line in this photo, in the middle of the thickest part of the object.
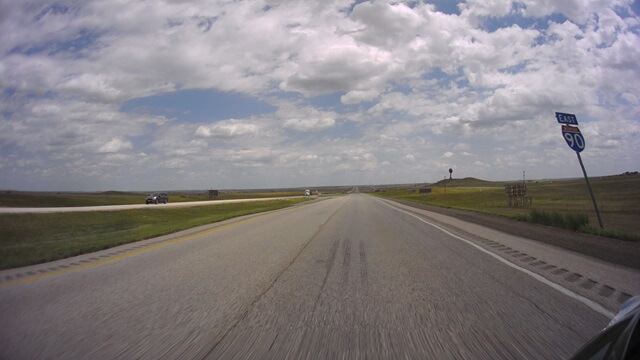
(606, 283)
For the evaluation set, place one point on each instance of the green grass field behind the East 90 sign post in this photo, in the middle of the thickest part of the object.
(618, 199)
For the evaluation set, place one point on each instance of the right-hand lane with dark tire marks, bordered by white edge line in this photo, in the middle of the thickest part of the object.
(380, 284)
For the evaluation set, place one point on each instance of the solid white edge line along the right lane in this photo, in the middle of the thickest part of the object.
(591, 304)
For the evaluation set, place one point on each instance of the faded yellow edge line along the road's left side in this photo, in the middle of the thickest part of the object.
(114, 258)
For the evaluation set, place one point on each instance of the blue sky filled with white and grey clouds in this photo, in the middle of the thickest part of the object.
(168, 95)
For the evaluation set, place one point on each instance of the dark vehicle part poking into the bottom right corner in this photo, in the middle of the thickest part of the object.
(620, 340)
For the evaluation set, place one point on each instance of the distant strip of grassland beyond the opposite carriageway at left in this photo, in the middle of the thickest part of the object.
(43, 199)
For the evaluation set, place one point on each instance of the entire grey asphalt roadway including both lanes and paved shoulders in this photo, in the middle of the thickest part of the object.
(352, 277)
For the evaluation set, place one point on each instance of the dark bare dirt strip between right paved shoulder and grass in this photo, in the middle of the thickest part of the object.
(625, 253)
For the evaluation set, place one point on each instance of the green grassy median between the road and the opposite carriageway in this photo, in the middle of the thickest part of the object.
(27, 239)
